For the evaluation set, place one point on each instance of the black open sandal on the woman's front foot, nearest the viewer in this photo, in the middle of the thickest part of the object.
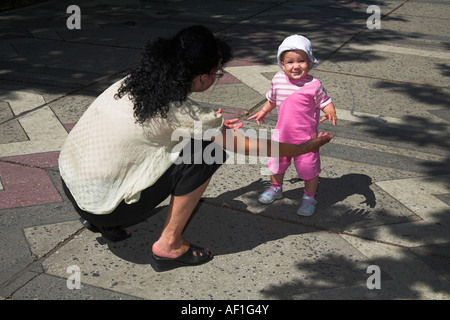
(188, 258)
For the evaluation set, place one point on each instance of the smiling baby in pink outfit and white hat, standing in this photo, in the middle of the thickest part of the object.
(298, 97)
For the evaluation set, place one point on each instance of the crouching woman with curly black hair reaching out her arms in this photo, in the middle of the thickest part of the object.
(120, 160)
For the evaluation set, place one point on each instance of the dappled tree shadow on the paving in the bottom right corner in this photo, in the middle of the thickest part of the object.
(336, 276)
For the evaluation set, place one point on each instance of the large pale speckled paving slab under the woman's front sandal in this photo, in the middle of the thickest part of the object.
(257, 264)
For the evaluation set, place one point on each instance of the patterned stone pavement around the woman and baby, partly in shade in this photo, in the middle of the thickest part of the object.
(384, 192)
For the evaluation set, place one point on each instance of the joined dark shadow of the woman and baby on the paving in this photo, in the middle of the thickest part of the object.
(228, 224)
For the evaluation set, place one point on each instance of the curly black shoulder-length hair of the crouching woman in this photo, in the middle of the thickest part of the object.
(167, 68)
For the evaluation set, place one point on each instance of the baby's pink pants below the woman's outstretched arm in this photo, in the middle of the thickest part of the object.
(307, 165)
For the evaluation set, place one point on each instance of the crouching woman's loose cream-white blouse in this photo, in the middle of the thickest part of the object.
(109, 157)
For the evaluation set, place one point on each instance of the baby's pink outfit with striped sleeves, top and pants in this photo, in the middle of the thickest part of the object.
(298, 103)
